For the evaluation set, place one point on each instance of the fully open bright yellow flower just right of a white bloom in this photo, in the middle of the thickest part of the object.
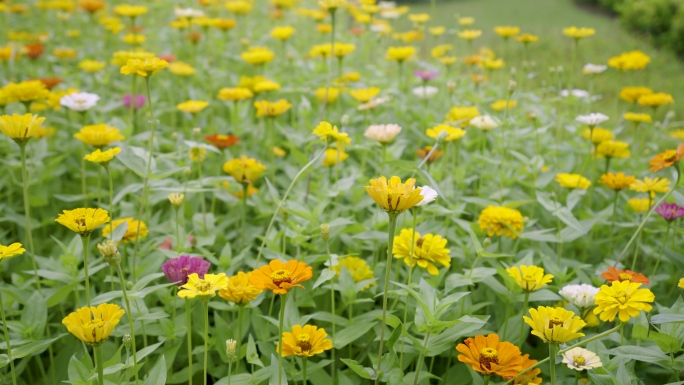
(622, 299)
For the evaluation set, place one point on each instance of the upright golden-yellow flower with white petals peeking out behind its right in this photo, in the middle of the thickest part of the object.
(394, 196)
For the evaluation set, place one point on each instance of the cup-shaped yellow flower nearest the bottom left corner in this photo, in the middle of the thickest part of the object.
(93, 325)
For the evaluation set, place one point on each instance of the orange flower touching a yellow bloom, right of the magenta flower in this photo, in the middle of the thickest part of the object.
(281, 277)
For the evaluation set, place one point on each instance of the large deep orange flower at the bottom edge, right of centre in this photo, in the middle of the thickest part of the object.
(488, 356)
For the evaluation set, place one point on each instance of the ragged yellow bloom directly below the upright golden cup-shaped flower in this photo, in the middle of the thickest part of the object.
(427, 250)
